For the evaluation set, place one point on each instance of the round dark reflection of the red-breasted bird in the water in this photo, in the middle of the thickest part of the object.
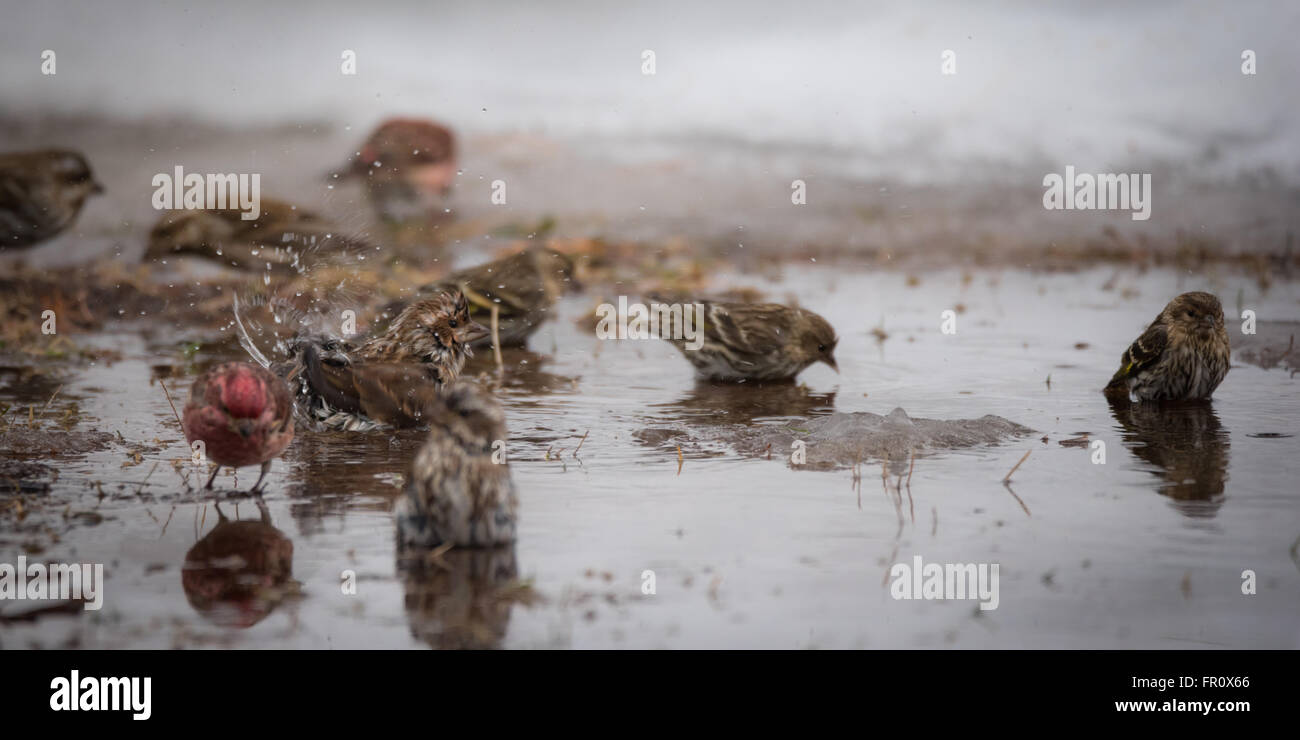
(240, 572)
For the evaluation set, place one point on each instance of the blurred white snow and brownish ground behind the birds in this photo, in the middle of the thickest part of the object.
(746, 98)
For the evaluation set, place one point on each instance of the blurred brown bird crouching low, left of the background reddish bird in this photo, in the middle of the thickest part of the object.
(278, 241)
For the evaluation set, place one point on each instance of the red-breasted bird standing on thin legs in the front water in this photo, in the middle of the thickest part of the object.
(242, 414)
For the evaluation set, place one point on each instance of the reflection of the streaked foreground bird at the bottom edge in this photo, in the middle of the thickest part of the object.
(462, 598)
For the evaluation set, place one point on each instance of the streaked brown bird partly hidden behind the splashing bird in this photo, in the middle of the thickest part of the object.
(522, 287)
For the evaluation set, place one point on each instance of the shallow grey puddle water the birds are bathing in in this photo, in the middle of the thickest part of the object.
(1146, 551)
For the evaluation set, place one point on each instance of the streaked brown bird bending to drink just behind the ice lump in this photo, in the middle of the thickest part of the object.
(753, 341)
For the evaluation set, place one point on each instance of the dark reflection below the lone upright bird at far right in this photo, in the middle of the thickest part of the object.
(1188, 447)
